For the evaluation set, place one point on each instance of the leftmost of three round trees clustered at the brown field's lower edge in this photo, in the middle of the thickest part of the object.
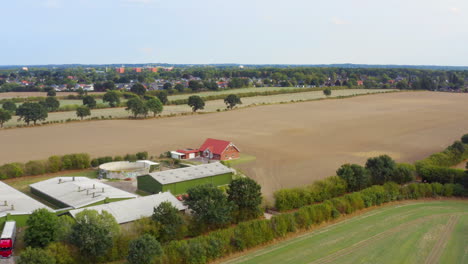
(356, 176)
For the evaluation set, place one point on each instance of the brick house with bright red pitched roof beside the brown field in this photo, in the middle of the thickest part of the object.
(219, 150)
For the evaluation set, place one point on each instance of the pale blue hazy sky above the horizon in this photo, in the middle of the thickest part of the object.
(405, 32)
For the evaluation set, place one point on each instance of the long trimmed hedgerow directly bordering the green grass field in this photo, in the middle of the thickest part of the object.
(220, 243)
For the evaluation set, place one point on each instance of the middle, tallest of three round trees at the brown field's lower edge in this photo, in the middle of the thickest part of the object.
(381, 168)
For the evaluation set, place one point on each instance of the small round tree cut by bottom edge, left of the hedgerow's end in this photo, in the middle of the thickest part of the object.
(143, 250)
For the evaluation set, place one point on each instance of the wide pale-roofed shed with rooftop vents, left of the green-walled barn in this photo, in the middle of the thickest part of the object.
(77, 192)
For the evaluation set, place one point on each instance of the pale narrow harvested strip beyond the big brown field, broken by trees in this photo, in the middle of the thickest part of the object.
(211, 106)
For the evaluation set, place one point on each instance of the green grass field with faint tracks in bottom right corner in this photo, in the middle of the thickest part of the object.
(416, 232)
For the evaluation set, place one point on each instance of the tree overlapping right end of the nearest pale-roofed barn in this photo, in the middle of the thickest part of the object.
(171, 222)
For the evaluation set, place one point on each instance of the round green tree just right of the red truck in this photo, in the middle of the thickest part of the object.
(42, 228)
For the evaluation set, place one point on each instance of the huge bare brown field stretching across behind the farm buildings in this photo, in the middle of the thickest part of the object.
(295, 144)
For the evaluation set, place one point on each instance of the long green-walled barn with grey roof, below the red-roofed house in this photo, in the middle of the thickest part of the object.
(178, 181)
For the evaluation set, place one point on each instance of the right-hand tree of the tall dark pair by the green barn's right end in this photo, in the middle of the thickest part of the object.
(246, 194)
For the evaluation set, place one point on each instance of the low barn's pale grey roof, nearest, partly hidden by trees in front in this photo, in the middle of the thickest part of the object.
(134, 209)
